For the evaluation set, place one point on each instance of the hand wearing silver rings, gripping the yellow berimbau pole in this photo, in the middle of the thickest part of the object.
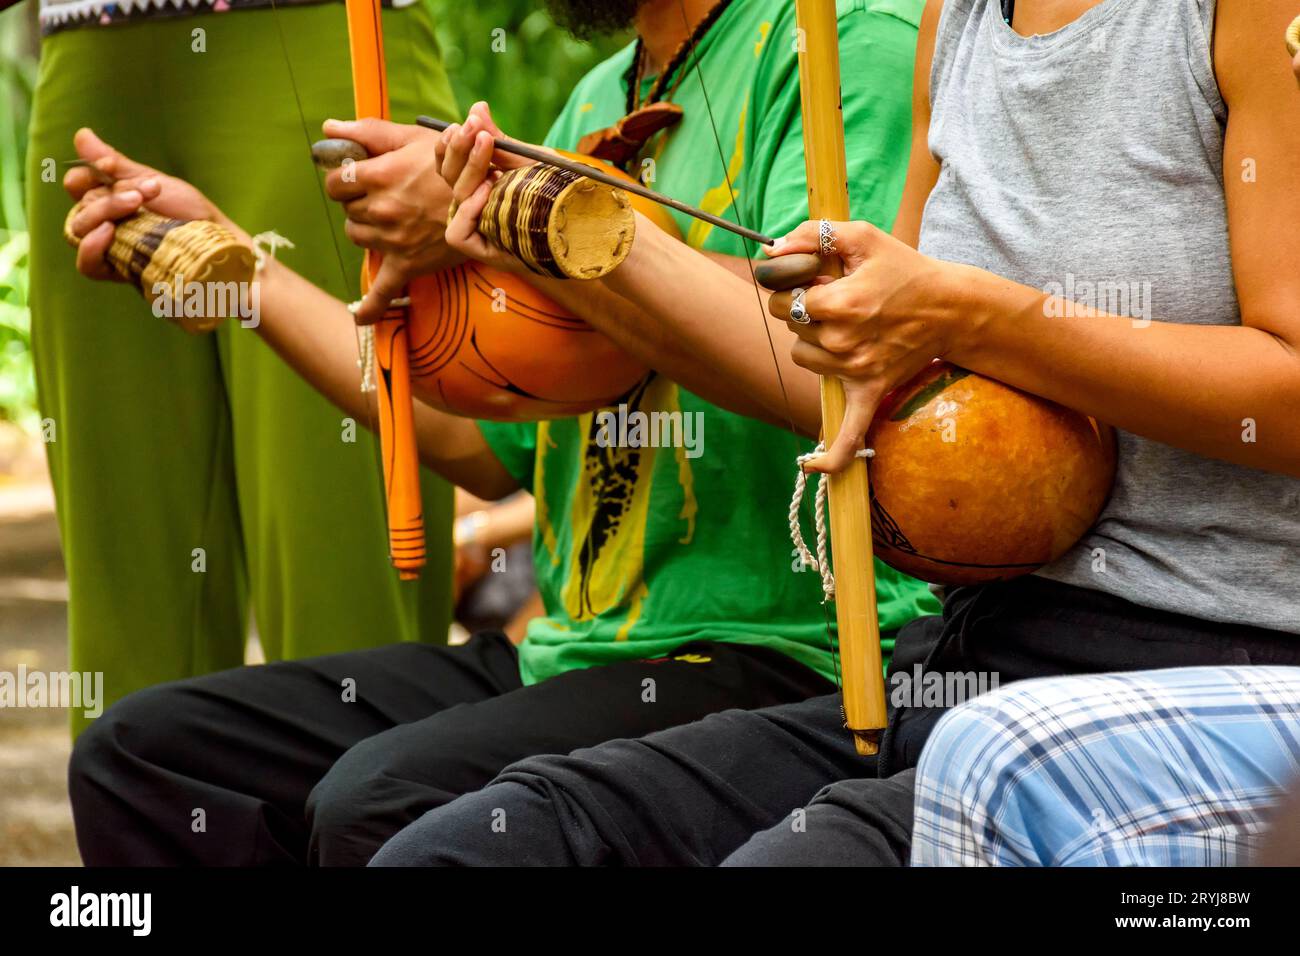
(876, 328)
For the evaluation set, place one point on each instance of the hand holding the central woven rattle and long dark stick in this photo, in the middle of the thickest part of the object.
(470, 163)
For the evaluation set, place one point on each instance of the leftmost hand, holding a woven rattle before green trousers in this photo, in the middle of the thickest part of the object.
(135, 187)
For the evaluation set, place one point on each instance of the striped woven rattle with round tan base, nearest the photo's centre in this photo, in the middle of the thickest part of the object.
(558, 223)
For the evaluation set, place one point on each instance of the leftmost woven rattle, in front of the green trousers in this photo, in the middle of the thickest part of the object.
(159, 256)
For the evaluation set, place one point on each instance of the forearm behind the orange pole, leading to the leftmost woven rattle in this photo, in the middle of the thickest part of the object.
(315, 335)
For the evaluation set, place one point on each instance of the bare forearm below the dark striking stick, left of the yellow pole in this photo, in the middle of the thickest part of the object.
(701, 326)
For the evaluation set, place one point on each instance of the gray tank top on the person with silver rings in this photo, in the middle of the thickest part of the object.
(1090, 163)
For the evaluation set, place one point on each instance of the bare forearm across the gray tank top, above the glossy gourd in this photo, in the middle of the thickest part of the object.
(1225, 392)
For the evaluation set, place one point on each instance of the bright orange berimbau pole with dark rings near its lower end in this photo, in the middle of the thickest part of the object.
(392, 352)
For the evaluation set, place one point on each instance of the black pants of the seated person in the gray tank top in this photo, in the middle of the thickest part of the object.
(785, 785)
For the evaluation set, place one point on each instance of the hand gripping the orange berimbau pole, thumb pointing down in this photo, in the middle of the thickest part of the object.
(396, 205)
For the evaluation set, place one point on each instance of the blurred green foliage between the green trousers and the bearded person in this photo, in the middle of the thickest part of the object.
(512, 54)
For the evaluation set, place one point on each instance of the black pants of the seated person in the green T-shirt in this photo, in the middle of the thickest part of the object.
(324, 760)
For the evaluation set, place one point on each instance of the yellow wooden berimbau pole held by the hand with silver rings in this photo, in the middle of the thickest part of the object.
(851, 514)
